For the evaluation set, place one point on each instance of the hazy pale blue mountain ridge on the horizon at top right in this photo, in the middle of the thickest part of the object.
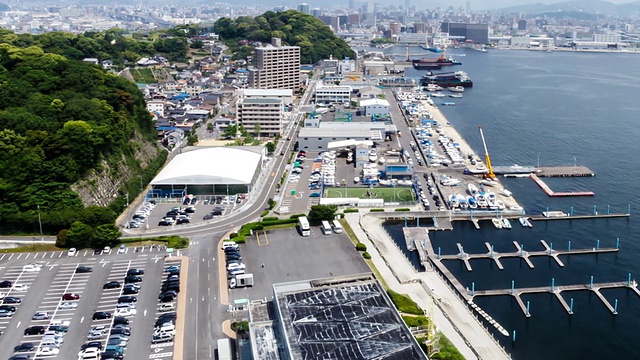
(582, 6)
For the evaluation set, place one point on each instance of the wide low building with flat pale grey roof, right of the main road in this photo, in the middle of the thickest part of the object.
(318, 139)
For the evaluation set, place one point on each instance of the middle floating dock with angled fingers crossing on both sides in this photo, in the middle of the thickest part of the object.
(495, 256)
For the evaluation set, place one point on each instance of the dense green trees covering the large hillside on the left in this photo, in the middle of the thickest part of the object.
(59, 119)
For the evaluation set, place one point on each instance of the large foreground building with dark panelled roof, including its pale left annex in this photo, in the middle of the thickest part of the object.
(340, 318)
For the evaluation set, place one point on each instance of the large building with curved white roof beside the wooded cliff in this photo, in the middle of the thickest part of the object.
(224, 170)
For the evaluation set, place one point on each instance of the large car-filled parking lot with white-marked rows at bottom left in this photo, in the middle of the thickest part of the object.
(68, 291)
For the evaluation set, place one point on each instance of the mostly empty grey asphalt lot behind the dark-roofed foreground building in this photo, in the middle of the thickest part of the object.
(311, 257)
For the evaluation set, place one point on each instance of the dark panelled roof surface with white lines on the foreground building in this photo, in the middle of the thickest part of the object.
(352, 321)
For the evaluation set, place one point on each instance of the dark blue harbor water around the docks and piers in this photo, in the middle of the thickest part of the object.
(558, 108)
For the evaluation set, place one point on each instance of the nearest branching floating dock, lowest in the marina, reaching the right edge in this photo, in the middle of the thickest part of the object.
(557, 290)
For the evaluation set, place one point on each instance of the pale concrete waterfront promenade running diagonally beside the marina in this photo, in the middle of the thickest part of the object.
(450, 315)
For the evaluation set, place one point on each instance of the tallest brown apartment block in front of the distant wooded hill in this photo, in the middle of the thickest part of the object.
(277, 67)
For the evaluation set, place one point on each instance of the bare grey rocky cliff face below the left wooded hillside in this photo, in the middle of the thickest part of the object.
(101, 185)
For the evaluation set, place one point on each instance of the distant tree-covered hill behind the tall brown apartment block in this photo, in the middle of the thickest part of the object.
(316, 40)
